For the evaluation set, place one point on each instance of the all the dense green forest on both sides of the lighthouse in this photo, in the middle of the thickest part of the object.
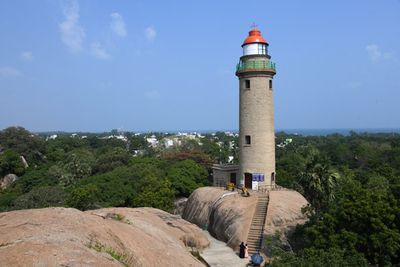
(351, 182)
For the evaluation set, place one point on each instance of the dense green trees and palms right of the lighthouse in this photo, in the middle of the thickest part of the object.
(353, 185)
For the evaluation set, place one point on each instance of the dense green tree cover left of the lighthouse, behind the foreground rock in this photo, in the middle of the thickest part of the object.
(92, 171)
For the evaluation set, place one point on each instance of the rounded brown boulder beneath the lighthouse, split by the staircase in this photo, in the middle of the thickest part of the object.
(228, 216)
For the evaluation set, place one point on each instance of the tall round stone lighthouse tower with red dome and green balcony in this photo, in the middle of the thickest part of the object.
(256, 123)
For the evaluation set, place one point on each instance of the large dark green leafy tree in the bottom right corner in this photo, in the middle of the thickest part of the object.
(360, 220)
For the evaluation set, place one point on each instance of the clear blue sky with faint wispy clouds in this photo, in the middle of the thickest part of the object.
(169, 65)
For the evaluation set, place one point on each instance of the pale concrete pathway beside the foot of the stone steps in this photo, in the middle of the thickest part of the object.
(218, 254)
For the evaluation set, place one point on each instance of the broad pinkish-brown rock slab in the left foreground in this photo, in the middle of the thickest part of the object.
(105, 237)
